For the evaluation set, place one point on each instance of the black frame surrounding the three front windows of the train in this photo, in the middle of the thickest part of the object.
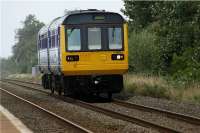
(104, 36)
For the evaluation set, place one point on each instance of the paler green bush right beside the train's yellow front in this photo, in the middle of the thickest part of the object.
(143, 51)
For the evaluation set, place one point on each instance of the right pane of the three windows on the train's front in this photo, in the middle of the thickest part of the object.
(115, 38)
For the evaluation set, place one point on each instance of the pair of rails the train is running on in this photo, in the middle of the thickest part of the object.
(115, 114)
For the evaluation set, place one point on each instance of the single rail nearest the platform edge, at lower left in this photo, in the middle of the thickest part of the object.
(68, 122)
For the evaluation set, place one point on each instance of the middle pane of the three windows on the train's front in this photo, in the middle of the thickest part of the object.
(94, 38)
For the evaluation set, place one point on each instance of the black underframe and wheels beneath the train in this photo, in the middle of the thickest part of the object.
(83, 85)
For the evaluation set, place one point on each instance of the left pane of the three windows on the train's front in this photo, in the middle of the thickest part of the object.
(73, 39)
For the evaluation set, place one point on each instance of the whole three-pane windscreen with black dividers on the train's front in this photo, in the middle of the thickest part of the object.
(94, 38)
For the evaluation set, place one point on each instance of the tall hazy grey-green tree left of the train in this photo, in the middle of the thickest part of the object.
(25, 50)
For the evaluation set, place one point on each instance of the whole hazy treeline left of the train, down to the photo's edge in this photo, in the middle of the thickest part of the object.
(25, 50)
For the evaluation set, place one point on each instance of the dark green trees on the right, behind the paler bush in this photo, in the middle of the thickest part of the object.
(177, 29)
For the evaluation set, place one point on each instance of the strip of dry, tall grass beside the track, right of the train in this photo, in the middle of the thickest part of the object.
(159, 87)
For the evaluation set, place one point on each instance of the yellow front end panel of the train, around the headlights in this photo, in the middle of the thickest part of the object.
(93, 63)
